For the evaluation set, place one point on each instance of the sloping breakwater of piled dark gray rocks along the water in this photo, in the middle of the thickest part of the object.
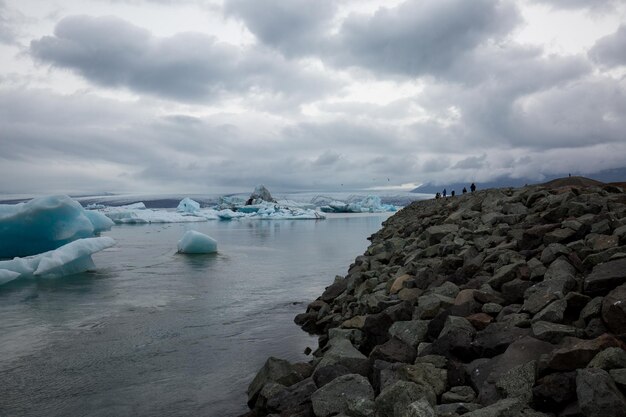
(507, 302)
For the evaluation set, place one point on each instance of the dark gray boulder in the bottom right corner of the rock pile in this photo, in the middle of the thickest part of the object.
(597, 394)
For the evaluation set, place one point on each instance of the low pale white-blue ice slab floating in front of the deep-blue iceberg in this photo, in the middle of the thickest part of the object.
(72, 258)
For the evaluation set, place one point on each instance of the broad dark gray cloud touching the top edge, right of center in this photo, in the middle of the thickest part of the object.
(422, 37)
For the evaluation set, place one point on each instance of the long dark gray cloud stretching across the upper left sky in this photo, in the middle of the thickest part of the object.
(187, 66)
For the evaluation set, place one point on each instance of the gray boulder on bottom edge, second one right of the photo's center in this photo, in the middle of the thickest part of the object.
(395, 399)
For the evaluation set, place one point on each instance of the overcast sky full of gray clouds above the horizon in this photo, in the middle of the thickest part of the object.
(211, 96)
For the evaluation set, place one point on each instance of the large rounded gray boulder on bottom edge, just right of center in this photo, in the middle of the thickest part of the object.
(345, 394)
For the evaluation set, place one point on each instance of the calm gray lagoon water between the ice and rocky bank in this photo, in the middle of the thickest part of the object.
(155, 333)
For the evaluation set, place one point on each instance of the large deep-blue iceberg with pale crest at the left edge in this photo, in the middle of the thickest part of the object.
(46, 223)
